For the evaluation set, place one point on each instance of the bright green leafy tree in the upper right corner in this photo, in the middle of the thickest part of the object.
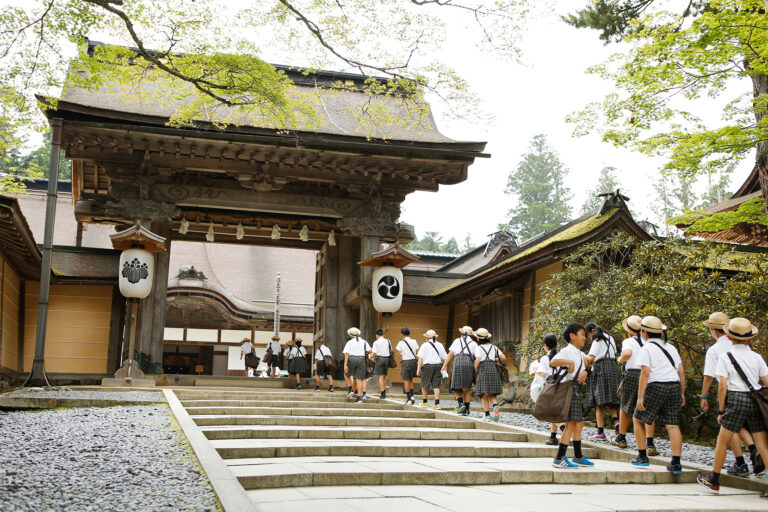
(674, 59)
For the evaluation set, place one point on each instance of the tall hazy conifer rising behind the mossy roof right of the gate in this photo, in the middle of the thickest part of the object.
(539, 190)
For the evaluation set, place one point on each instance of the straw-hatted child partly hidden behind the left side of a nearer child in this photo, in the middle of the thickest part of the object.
(630, 354)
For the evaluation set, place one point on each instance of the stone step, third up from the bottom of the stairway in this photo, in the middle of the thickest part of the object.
(347, 432)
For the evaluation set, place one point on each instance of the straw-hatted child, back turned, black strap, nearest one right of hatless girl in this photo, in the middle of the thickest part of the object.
(660, 391)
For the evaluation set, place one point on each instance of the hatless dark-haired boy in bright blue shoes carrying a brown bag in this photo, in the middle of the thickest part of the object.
(572, 357)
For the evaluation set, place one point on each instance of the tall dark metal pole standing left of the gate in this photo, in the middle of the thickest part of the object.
(37, 376)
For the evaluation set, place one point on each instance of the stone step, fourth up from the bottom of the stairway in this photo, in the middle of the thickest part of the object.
(338, 421)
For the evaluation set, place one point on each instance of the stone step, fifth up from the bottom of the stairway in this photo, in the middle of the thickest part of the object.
(328, 411)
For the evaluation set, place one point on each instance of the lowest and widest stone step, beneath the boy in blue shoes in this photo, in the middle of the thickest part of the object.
(321, 471)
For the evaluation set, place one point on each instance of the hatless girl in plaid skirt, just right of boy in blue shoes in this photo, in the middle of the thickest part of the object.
(604, 379)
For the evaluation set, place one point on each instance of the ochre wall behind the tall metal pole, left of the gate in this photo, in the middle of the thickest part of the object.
(77, 335)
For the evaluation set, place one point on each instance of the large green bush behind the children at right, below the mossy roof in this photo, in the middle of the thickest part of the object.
(679, 281)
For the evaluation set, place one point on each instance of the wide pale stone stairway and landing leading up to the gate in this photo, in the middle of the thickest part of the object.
(287, 447)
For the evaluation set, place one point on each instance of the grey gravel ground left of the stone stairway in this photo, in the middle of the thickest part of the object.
(100, 459)
